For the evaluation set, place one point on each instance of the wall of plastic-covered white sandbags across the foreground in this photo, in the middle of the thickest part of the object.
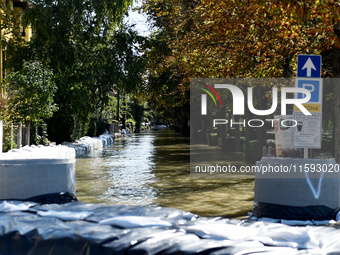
(81, 228)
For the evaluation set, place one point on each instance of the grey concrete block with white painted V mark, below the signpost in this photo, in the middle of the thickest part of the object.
(300, 185)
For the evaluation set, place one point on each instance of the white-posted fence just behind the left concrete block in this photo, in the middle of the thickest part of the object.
(13, 135)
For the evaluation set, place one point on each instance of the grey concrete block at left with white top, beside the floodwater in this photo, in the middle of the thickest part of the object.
(37, 170)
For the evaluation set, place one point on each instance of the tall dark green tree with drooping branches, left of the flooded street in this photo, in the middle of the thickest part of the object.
(73, 39)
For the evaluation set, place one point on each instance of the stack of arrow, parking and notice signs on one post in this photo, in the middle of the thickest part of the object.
(307, 133)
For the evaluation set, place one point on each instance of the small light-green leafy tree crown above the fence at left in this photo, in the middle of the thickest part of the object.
(30, 94)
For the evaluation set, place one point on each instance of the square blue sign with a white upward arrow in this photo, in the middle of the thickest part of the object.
(309, 66)
